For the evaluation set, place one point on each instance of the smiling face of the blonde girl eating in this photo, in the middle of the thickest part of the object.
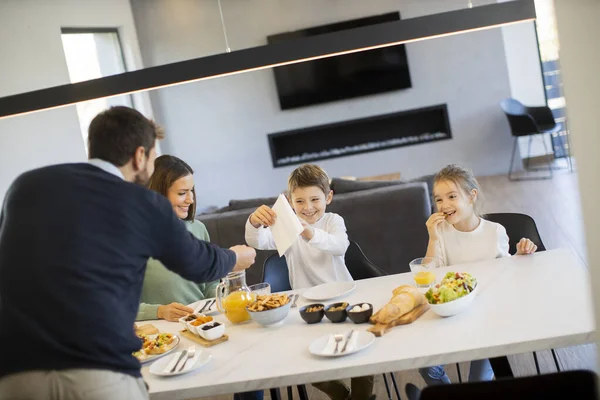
(453, 201)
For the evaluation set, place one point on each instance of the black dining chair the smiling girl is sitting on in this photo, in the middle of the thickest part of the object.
(517, 226)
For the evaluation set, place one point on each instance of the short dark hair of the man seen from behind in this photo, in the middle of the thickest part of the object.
(116, 133)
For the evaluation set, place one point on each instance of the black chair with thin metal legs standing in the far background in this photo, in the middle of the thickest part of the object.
(528, 121)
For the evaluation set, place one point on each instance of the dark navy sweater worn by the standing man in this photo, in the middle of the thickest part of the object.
(74, 242)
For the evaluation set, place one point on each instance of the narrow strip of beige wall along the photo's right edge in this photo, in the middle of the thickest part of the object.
(578, 33)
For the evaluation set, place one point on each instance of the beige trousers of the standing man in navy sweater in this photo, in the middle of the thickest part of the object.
(72, 384)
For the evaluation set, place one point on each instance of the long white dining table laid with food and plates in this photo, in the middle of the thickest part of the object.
(523, 304)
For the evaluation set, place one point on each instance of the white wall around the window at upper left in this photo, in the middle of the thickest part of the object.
(32, 57)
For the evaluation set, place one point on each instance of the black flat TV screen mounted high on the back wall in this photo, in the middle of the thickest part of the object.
(341, 77)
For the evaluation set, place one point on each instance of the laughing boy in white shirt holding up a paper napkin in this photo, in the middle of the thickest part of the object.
(317, 255)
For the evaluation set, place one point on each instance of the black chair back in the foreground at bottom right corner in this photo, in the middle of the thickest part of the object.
(580, 385)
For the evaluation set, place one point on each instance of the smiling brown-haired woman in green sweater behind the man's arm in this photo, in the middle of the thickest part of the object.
(164, 293)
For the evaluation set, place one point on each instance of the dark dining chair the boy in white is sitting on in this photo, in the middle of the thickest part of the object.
(275, 273)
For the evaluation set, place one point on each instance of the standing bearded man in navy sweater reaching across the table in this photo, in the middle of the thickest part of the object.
(74, 242)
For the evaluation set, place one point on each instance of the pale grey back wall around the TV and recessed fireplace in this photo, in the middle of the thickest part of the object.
(221, 126)
